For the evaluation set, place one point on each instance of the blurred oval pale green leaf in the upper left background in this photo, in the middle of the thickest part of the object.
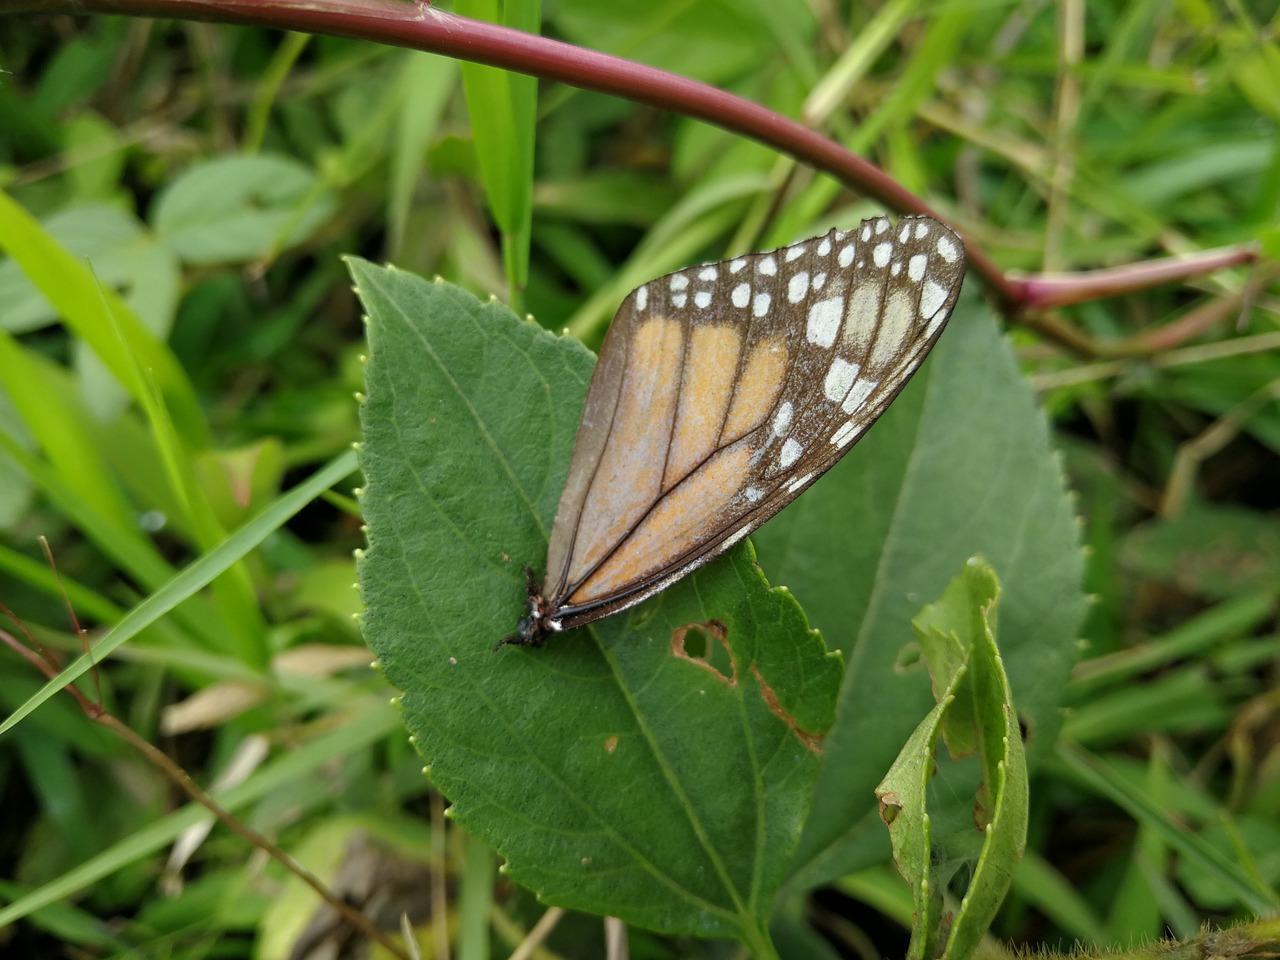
(235, 209)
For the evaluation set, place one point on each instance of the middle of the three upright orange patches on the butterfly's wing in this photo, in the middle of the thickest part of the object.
(706, 390)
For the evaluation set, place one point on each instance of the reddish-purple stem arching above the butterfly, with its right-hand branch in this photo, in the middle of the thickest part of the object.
(422, 28)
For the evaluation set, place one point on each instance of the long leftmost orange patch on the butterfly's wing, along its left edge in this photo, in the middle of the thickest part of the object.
(629, 478)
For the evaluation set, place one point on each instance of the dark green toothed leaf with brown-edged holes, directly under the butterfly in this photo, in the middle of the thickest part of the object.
(615, 770)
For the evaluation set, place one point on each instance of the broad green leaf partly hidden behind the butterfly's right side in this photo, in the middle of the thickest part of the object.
(959, 465)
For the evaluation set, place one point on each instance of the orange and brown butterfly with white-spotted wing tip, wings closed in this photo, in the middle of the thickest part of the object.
(721, 394)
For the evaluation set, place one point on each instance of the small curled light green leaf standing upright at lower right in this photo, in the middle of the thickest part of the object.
(976, 714)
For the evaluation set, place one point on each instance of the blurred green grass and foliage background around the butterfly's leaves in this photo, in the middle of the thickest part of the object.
(180, 349)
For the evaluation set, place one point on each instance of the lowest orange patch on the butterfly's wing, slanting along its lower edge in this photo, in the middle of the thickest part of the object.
(683, 519)
